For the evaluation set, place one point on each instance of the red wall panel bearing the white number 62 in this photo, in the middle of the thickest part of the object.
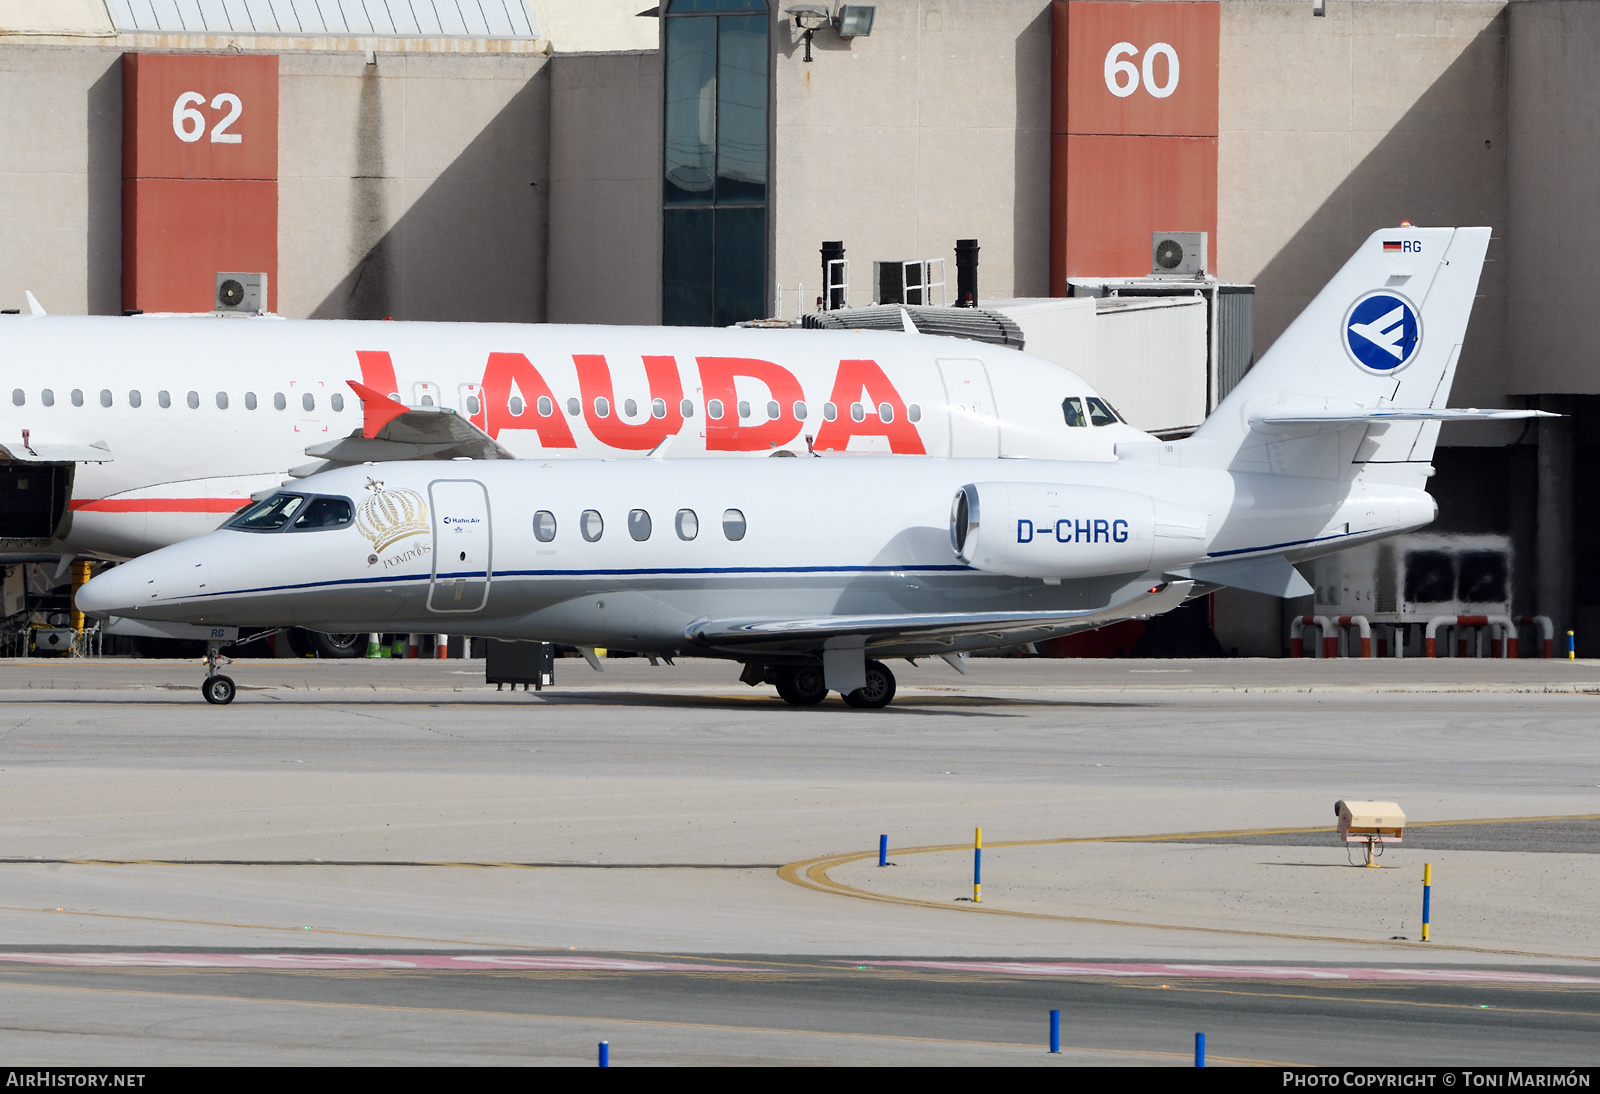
(201, 167)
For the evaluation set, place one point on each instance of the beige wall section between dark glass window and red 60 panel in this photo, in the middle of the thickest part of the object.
(932, 130)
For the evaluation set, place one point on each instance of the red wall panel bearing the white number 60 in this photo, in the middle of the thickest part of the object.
(1134, 132)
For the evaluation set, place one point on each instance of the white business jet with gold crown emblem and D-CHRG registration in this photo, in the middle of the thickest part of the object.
(812, 572)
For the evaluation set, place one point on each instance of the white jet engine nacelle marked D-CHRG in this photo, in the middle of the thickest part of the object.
(1042, 530)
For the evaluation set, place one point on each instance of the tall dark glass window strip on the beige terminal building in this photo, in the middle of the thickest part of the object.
(714, 196)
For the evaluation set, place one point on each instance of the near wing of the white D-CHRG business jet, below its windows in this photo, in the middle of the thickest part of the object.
(886, 631)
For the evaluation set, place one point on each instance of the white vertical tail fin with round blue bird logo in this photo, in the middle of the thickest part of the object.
(1385, 333)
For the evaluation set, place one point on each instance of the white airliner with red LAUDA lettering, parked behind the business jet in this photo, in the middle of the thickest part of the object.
(121, 436)
